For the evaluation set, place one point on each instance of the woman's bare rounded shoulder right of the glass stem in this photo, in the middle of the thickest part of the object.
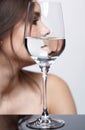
(60, 100)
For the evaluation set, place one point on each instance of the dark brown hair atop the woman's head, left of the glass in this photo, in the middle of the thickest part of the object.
(11, 11)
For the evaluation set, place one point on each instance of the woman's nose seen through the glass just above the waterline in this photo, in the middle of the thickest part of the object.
(44, 31)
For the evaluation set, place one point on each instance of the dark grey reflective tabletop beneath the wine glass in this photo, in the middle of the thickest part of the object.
(11, 122)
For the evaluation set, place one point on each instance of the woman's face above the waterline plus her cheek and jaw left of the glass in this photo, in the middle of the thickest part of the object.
(38, 29)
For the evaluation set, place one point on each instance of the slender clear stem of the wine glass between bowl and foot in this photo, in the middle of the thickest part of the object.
(44, 70)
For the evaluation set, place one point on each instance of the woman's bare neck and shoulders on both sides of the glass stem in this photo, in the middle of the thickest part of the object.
(22, 92)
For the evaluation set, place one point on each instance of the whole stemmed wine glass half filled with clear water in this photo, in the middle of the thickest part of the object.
(44, 41)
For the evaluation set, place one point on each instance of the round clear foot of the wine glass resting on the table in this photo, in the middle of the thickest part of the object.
(43, 122)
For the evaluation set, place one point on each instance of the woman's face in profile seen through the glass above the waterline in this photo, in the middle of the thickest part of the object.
(38, 28)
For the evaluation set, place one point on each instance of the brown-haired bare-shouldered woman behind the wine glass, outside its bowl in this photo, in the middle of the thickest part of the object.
(20, 90)
